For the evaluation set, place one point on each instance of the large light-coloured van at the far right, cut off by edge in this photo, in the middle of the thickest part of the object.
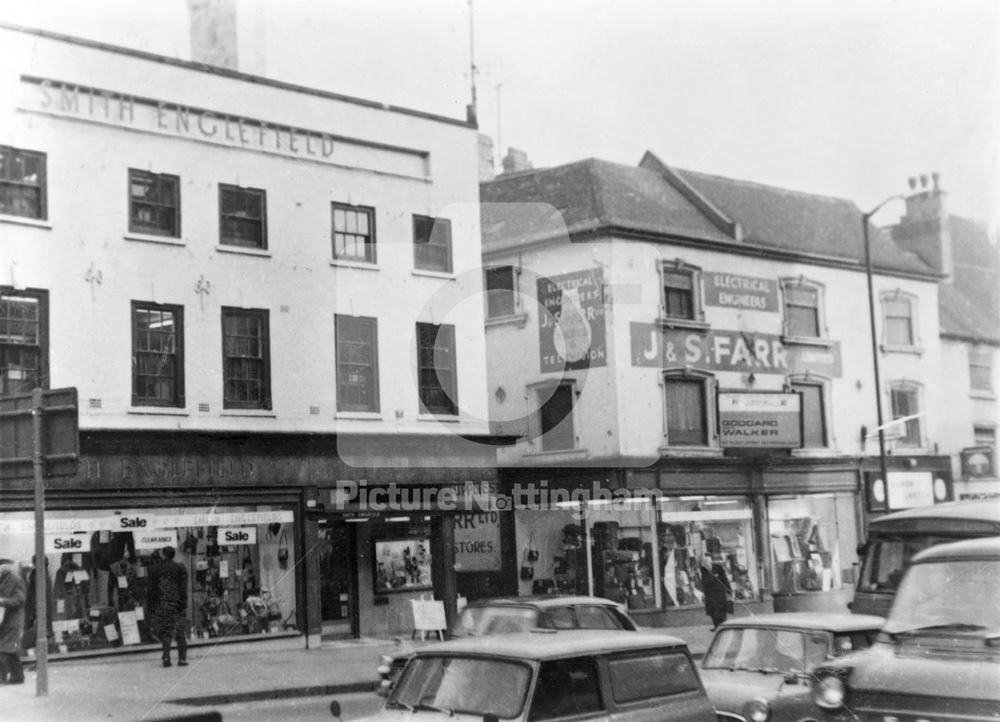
(938, 655)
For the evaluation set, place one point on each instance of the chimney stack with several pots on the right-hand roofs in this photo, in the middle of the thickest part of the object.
(923, 230)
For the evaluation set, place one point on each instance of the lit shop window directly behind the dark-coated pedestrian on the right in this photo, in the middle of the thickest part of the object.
(690, 528)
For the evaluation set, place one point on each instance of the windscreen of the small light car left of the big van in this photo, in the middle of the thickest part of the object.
(767, 649)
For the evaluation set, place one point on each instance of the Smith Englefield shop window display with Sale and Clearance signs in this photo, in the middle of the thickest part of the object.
(240, 563)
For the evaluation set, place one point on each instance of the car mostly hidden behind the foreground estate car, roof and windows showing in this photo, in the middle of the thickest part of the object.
(507, 615)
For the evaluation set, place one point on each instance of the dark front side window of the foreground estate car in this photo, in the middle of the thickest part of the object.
(566, 687)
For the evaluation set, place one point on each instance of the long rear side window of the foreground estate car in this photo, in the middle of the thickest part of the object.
(652, 674)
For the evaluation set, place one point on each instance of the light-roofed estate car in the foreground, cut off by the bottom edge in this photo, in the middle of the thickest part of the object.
(549, 674)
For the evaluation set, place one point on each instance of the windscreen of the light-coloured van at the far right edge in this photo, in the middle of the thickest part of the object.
(950, 596)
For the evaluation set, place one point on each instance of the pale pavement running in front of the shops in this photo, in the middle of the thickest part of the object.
(137, 686)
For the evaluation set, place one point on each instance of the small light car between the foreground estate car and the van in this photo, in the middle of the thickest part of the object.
(757, 668)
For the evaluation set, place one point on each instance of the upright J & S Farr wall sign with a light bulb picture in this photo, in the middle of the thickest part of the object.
(571, 330)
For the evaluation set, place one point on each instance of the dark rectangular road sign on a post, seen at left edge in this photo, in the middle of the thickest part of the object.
(39, 437)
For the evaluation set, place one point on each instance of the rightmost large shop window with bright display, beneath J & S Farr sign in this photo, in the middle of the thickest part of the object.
(812, 537)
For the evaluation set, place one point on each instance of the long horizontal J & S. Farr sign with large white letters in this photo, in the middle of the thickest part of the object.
(721, 350)
